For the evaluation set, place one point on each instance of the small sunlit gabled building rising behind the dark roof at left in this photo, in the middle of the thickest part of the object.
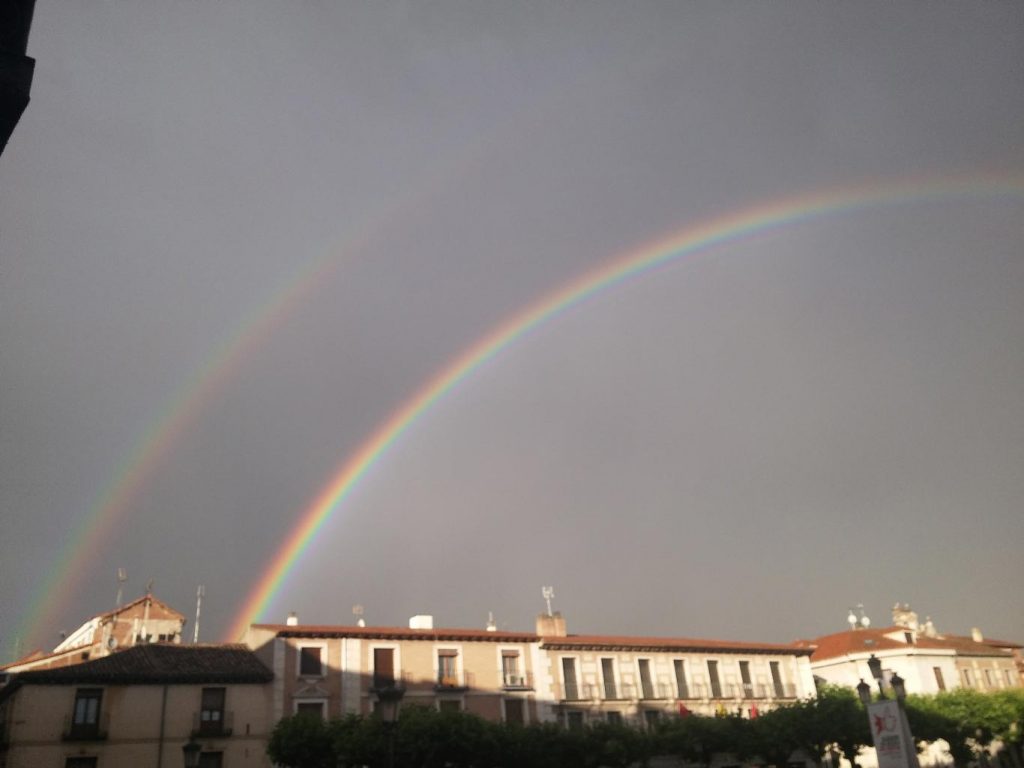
(146, 620)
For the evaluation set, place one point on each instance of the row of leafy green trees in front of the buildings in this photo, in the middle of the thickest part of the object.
(835, 721)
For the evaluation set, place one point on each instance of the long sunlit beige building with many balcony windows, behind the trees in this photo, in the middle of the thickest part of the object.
(545, 676)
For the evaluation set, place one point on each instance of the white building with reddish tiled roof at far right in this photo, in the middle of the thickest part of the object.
(929, 661)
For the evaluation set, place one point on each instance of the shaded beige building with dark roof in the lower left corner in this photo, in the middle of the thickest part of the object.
(139, 707)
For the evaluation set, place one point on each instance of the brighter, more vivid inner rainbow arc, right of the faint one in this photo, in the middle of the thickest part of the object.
(702, 237)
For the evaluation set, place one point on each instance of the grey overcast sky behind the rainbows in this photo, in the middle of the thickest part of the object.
(237, 237)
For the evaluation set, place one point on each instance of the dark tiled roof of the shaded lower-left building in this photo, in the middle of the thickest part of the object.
(159, 663)
